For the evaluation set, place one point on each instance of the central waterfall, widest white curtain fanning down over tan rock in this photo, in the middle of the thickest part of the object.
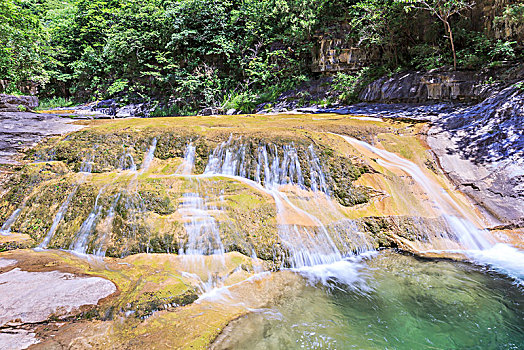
(310, 242)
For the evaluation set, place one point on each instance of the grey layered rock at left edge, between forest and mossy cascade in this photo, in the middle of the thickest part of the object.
(21, 130)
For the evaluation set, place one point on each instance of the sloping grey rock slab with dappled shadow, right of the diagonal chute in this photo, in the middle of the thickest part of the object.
(482, 150)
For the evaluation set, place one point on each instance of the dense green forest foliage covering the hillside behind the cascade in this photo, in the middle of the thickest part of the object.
(188, 54)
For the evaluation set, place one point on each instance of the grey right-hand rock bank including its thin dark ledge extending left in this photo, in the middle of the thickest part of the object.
(479, 146)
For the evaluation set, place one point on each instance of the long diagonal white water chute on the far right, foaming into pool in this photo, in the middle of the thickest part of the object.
(477, 246)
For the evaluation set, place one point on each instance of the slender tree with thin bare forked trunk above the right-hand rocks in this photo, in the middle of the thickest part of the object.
(443, 9)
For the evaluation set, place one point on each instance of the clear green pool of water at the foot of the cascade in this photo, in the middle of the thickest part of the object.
(408, 304)
